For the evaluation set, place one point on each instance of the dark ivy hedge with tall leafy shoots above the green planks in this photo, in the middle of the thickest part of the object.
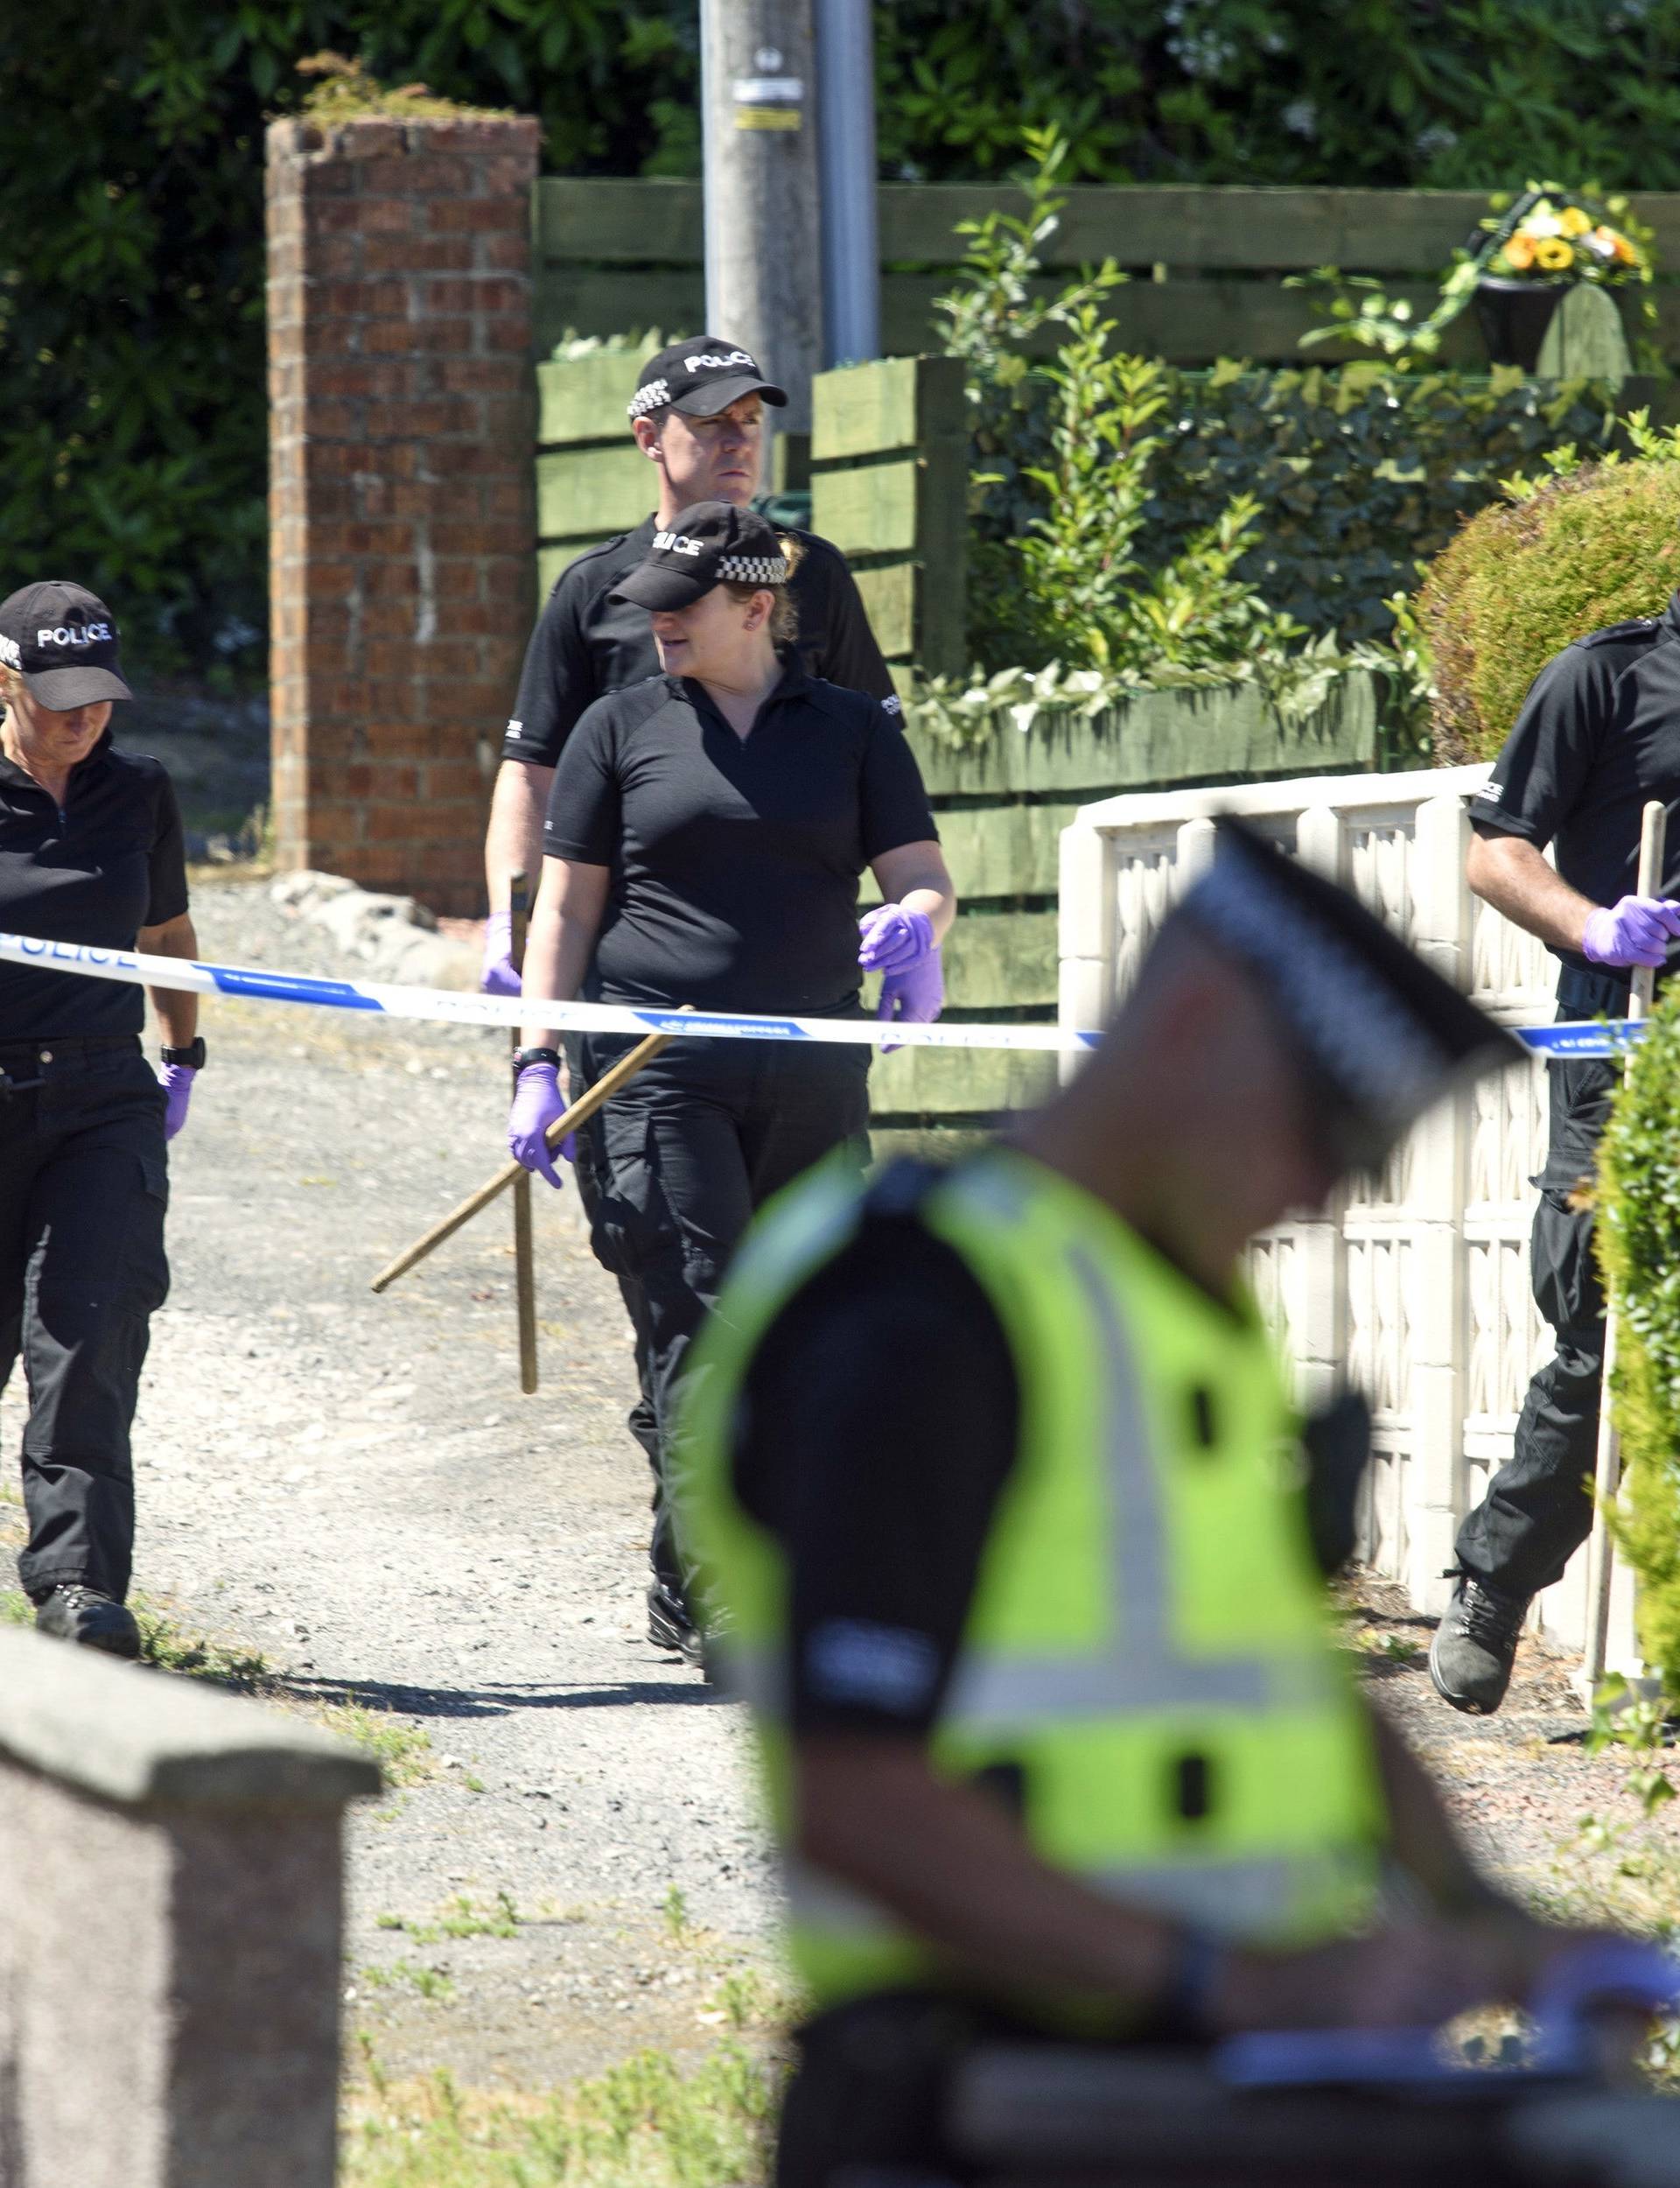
(1119, 502)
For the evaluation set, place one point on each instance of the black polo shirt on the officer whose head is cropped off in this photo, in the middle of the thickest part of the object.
(1596, 741)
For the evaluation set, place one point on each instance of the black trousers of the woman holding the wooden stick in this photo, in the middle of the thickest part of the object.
(670, 1176)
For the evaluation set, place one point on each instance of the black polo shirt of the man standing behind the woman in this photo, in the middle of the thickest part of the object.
(587, 644)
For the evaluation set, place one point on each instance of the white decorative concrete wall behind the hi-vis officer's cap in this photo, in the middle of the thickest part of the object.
(1414, 1285)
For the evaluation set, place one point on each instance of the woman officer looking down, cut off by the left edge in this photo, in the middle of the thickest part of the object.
(91, 852)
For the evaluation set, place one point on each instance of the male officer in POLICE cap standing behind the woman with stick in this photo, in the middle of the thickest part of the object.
(699, 419)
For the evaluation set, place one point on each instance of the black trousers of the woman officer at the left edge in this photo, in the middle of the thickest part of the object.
(84, 1185)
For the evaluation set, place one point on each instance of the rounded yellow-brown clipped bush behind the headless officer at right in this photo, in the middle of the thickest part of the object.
(1591, 546)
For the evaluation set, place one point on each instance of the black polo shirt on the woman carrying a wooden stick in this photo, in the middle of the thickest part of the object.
(734, 861)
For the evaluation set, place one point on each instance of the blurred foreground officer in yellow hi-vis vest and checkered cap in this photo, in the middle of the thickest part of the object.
(990, 1504)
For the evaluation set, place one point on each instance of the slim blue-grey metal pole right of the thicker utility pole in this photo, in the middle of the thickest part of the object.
(852, 253)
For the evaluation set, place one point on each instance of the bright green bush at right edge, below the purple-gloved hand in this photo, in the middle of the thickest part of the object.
(1640, 1248)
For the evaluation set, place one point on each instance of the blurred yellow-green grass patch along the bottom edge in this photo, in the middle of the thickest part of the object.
(640, 2126)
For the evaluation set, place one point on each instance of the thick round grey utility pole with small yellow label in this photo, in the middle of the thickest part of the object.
(765, 286)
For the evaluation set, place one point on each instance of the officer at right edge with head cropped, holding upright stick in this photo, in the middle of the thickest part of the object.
(1596, 741)
